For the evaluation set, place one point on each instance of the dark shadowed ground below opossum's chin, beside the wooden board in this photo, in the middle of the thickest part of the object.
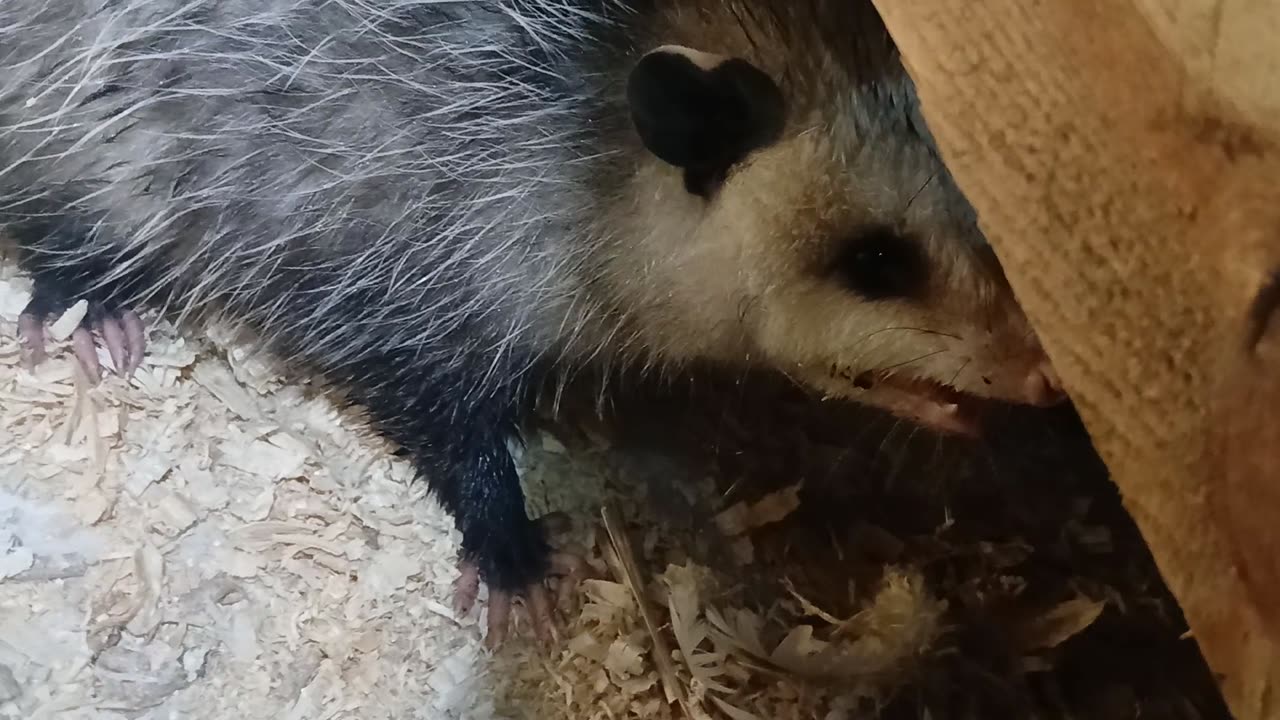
(1021, 534)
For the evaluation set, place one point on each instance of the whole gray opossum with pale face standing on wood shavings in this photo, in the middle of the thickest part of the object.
(440, 206)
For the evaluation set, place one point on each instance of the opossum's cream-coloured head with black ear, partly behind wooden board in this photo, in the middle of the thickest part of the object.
(801, 216)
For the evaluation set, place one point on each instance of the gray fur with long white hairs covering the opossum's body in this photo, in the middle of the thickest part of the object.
(240, 139)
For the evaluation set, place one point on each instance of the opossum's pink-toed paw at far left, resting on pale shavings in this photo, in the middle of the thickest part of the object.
(122, 332)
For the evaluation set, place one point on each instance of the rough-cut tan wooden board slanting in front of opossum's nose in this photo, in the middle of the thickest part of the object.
(1123, 157)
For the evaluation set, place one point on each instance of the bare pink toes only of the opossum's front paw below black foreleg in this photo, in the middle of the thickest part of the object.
(566, 568)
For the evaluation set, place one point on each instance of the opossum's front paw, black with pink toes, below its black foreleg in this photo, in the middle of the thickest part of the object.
(520, 572)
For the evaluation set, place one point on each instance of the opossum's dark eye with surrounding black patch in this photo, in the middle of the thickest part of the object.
(880, 263)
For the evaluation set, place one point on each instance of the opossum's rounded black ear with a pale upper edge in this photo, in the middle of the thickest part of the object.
(703, 113)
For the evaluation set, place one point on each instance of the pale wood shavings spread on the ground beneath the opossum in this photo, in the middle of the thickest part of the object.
(212, 541)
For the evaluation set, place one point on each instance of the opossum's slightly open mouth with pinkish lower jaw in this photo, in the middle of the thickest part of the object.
(929, 403)
